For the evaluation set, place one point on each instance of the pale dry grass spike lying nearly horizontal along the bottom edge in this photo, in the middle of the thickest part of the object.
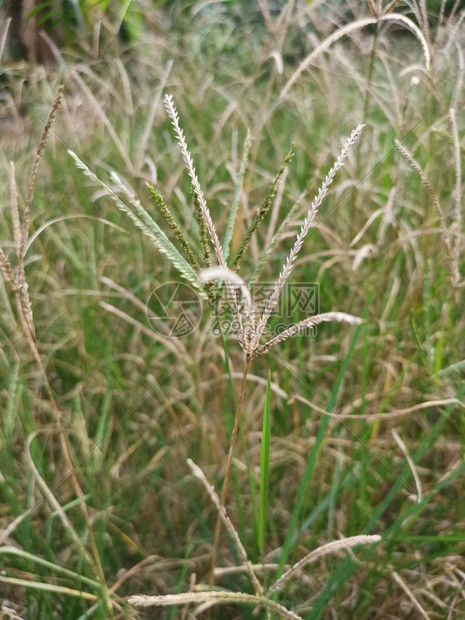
(214, 596)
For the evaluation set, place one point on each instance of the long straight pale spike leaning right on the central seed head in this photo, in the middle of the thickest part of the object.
(288, 266)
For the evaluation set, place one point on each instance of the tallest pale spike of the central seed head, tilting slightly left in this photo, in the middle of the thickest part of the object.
(173, 115)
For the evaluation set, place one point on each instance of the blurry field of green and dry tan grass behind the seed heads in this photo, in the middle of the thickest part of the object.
(321, 482)
